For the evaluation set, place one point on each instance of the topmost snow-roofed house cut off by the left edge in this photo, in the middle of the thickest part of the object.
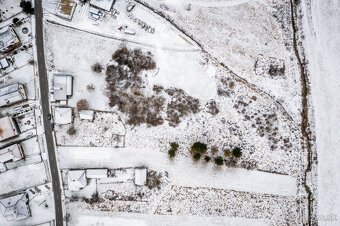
(9, 40)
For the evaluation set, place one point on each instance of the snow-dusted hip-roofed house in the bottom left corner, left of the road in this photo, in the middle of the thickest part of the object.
(15, 208)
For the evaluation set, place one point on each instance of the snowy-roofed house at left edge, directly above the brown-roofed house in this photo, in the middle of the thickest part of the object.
(12, 94)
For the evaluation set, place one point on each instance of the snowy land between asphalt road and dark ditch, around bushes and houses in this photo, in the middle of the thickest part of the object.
(246, 67)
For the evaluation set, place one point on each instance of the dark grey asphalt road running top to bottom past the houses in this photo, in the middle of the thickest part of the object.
(43, 79)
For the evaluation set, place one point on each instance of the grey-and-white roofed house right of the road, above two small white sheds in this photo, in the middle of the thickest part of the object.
(62, 87)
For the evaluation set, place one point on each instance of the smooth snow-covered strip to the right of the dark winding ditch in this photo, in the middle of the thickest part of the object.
(322, 32)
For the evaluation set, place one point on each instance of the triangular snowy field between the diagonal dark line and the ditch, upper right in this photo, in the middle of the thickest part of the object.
(239, 34)
